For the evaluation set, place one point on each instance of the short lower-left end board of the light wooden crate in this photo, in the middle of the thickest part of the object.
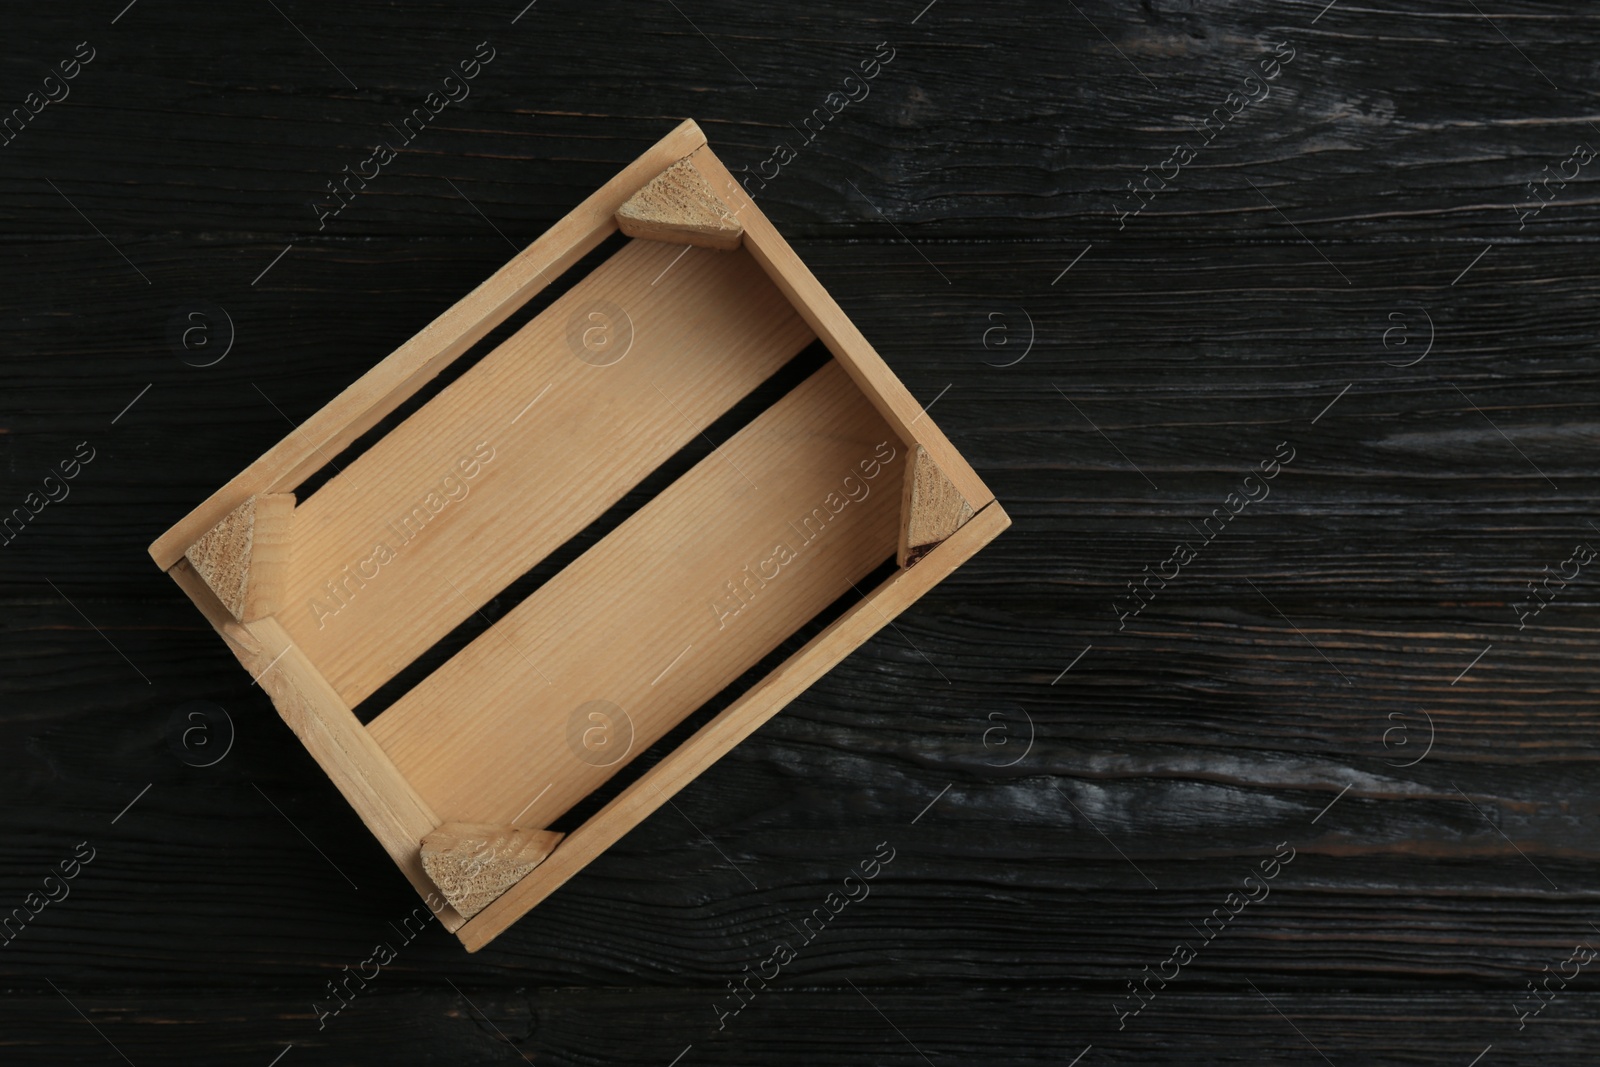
(330, 732)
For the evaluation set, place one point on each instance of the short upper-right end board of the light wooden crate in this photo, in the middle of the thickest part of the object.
(841, 335)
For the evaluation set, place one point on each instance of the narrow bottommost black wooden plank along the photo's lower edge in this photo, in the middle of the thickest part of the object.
(486, 1023)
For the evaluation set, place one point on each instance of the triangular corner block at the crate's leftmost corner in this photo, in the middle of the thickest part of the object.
(246, 557)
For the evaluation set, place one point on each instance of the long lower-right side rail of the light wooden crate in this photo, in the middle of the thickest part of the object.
(734, 725)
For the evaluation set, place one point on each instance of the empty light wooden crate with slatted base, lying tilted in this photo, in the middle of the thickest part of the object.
(327, 599)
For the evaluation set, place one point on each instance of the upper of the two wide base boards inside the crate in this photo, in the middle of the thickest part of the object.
(546, 442)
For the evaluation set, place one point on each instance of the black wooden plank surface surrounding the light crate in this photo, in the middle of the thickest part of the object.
(1268, 697)
